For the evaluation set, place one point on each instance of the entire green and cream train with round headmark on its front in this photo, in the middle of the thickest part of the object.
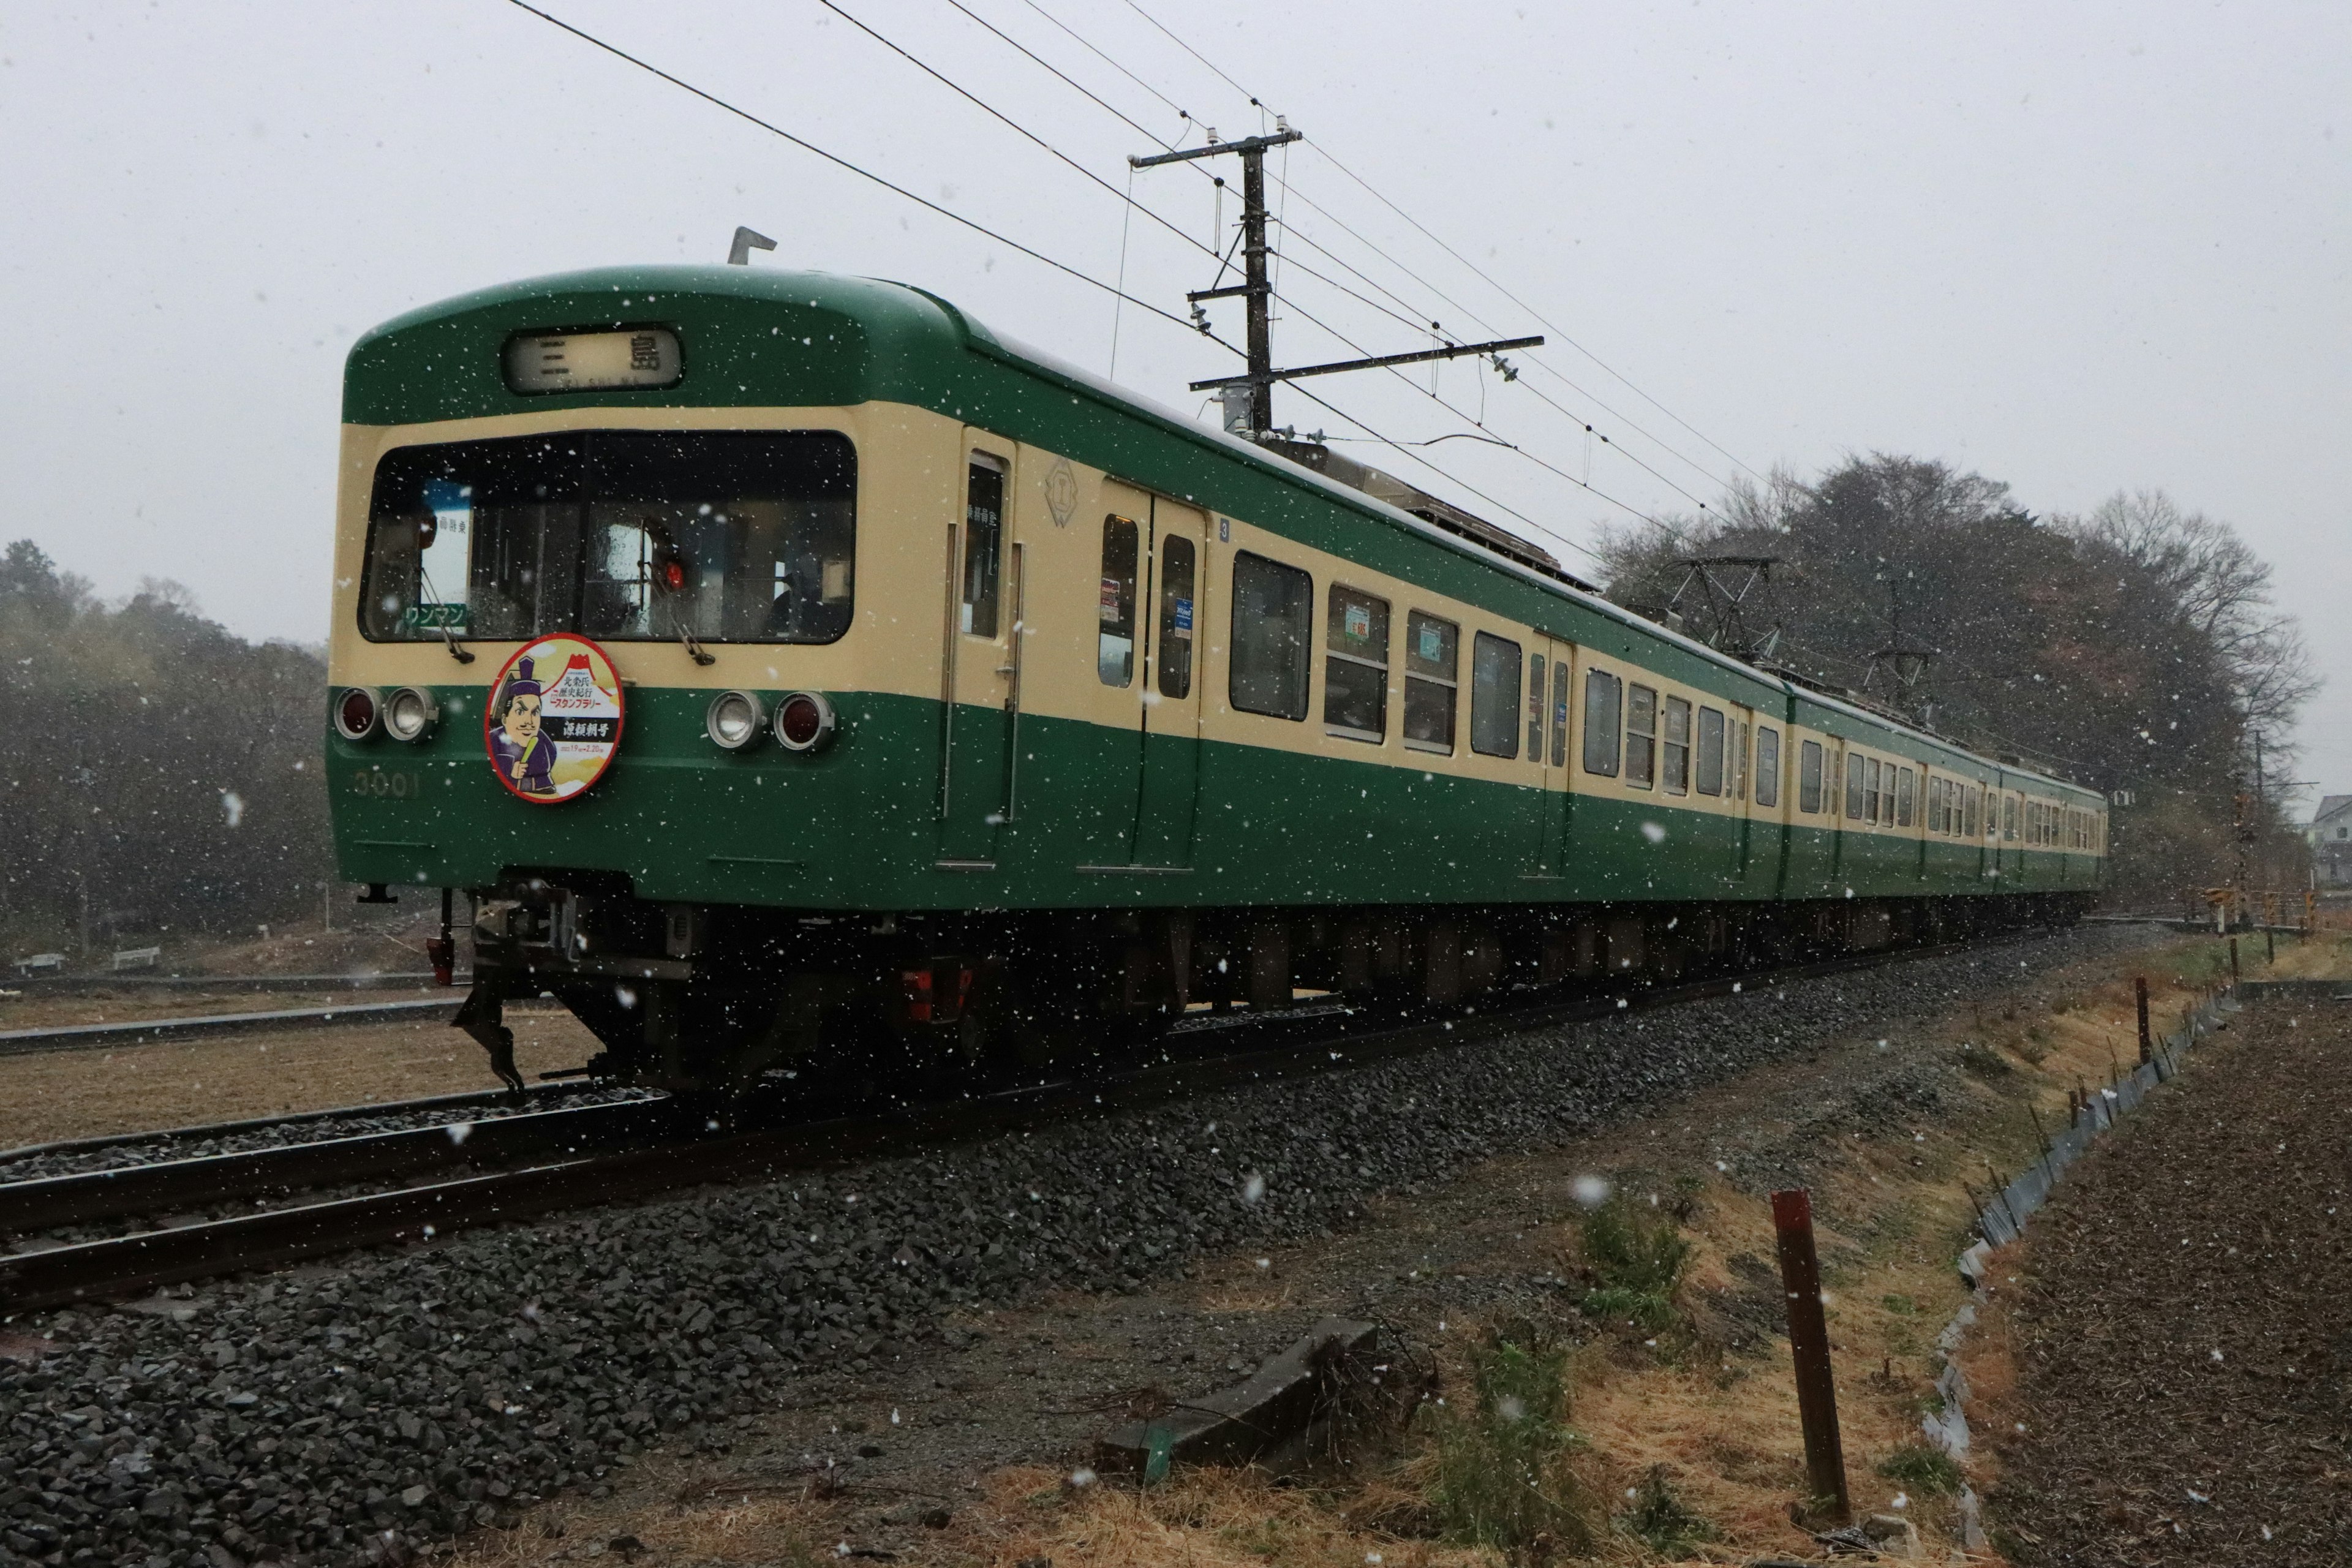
(784, 664)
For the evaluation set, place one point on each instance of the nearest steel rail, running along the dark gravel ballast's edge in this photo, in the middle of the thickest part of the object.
(420, 1214)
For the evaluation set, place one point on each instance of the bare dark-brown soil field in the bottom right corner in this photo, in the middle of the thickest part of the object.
(2170, 1341)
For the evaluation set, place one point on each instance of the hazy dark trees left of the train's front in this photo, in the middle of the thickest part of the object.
(156, 772)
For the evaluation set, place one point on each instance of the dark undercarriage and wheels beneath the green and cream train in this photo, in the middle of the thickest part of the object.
(714, 998)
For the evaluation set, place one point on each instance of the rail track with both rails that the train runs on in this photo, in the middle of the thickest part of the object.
(526, 1165)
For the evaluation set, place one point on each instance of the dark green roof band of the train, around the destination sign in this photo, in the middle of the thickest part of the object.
(864, 340)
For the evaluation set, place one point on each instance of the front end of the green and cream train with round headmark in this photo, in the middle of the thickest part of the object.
(627, 650)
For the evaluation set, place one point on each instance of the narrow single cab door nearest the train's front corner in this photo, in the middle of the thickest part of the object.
(977, 678)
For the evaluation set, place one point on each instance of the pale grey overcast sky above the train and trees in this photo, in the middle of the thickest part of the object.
(2076, 248)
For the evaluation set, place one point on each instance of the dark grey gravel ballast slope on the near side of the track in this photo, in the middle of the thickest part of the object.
(349, 1412)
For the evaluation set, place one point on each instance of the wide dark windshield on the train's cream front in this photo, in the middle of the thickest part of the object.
(620, 535)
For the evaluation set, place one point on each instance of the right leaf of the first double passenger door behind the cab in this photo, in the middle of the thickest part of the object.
(1177, 575)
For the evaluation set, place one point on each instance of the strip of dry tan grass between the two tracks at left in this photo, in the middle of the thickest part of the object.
(86, 1094)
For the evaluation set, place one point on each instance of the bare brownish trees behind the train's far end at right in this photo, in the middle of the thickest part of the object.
(2134, 650)
